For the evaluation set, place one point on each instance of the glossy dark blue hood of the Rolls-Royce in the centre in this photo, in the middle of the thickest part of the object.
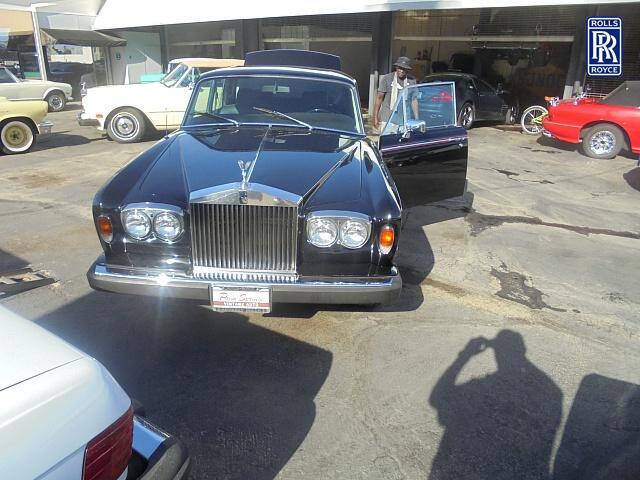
(290, 159)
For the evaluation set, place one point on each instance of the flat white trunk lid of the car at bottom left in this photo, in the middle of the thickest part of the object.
(27, 350)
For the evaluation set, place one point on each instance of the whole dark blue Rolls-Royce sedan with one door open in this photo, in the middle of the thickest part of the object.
(271, 192)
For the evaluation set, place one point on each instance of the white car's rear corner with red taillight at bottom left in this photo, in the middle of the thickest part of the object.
(64, 417)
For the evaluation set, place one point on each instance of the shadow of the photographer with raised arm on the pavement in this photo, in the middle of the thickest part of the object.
(500, 426)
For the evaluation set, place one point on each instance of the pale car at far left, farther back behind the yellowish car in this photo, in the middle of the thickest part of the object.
(56, 94)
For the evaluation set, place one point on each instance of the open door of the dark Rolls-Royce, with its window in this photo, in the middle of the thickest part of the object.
(423, 148)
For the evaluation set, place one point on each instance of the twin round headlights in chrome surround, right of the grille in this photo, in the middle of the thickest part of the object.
(349, 229)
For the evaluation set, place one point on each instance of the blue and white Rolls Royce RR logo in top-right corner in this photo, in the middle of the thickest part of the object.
(604, 46)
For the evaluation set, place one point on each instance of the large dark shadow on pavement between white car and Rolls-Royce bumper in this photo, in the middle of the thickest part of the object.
(240, 396)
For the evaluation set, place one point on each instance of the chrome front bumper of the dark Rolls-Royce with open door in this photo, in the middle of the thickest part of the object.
(336, 290)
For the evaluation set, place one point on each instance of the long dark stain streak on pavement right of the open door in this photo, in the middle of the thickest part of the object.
(479, 222)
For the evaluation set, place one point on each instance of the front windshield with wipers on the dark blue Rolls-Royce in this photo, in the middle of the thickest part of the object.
(308, 103)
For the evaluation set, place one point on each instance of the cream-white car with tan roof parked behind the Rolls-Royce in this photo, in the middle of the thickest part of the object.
(127, 111)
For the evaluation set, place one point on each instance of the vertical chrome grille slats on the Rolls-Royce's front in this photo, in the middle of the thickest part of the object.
(244, 242)
